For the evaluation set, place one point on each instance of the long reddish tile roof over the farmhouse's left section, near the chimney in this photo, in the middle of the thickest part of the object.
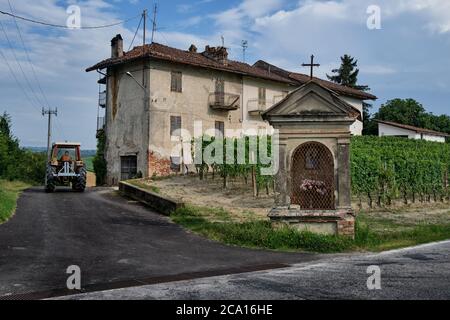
(162, 52)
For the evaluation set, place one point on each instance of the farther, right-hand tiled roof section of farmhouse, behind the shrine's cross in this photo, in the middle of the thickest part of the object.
(303, 78)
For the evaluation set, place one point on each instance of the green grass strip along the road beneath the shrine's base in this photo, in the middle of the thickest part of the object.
(216, 224)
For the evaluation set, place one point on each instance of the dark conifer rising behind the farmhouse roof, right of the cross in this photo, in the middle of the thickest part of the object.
(347, 74)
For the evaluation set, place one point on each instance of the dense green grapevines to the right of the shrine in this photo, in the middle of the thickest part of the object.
(389, 168)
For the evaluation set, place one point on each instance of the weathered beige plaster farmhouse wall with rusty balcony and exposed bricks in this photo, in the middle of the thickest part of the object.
(192, 105)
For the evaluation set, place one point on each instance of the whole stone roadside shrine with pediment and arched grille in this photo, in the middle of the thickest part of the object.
(312, 184)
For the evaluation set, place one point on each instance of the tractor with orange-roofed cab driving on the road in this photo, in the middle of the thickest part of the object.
(65, 167)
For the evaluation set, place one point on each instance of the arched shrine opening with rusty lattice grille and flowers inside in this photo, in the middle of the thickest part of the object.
(313, 177)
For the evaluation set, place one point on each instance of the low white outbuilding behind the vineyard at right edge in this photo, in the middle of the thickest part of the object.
(393, 129)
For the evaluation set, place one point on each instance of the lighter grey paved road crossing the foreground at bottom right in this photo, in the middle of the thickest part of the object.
(415, 273)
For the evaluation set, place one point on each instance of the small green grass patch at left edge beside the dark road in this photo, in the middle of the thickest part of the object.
(9, 192)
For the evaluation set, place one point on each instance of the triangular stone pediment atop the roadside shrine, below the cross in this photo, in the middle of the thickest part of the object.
(312, 100)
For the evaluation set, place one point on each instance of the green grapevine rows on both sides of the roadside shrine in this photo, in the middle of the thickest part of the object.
(383, 169)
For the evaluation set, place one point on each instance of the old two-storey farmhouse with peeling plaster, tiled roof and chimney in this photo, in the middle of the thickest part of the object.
(153, 90)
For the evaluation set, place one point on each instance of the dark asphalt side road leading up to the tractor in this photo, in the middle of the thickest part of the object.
(116, 243)
